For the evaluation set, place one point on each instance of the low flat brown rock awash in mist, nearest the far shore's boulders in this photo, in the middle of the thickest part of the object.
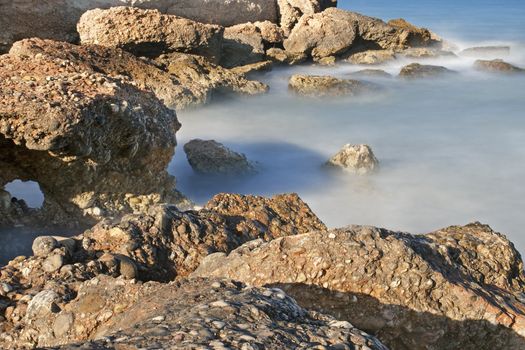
(323, 86)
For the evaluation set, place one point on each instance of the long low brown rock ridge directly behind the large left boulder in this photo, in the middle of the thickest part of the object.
(178, 80)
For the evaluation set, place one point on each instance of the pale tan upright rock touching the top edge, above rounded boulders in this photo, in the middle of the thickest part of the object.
(291, 11)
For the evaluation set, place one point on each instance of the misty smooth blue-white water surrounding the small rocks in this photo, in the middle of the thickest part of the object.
(452, 150)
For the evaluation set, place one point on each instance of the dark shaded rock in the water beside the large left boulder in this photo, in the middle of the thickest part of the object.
(211, 157)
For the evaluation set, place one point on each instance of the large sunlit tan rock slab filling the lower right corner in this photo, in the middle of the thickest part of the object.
(461, 287)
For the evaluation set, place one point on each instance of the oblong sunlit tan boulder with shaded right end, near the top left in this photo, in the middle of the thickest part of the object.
(149, 33)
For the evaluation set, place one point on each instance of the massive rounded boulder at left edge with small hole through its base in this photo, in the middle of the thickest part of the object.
(96, 144)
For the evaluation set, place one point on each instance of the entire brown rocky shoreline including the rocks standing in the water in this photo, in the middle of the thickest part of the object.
(89, 94)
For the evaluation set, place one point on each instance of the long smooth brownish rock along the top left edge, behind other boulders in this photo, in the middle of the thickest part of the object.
(57, 19)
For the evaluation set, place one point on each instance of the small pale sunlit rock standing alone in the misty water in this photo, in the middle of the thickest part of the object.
(358, 159)
